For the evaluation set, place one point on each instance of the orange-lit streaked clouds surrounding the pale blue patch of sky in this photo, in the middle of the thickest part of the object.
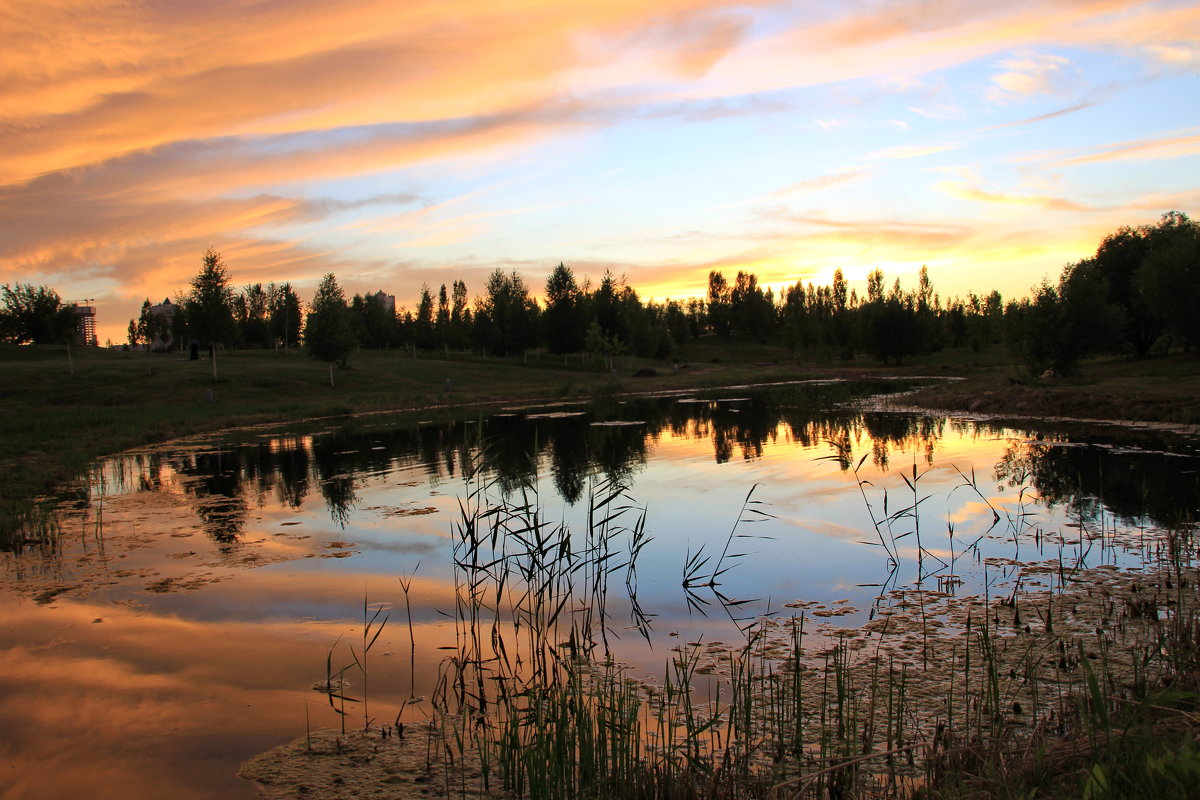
(137, 135)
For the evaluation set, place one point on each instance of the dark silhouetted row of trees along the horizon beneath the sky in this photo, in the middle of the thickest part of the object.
(1138, 296)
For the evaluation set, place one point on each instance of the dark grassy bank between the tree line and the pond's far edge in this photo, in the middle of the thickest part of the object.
(53, 425)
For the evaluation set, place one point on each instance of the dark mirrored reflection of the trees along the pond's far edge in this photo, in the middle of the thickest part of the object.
(1089, 470)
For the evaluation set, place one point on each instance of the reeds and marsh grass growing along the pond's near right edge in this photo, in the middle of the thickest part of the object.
(1060, 681)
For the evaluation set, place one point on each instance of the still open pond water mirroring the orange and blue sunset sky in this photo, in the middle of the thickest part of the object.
(199, 592)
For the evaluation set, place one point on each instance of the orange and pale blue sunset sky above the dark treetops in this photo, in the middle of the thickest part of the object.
(400, 143)
